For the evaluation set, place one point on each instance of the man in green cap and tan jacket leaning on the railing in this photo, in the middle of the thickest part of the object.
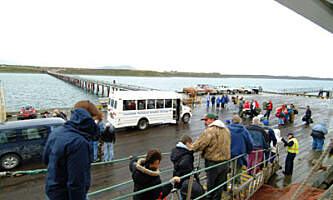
(215, 143)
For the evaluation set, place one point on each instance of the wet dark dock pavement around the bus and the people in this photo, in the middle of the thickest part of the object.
(134, 142)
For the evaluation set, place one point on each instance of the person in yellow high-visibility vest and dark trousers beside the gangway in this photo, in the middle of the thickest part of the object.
(292, 148)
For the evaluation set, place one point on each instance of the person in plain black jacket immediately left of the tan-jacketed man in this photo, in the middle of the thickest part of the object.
(182, 158)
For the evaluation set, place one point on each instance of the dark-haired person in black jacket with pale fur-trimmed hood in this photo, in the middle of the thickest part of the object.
(146, 173)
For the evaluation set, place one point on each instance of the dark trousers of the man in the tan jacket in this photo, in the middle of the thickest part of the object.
(215, 177)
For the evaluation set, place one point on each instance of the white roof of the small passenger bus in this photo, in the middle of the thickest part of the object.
(129, 95)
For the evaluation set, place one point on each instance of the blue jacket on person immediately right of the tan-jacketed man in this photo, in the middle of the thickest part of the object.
(241, 143)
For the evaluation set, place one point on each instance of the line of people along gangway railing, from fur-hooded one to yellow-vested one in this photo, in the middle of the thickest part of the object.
(218, 143)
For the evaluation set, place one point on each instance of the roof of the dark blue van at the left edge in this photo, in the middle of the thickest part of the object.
(31, 122)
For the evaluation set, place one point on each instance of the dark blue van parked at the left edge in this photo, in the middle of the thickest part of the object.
(24, 140)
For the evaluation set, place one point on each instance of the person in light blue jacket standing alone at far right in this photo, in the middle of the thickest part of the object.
(318, 135)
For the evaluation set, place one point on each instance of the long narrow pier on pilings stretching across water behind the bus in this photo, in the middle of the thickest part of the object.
(97, 87)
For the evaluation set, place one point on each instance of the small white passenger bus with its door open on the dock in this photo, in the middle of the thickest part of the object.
(141, 108)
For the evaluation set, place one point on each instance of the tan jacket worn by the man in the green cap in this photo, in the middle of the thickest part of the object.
(214, 142)
